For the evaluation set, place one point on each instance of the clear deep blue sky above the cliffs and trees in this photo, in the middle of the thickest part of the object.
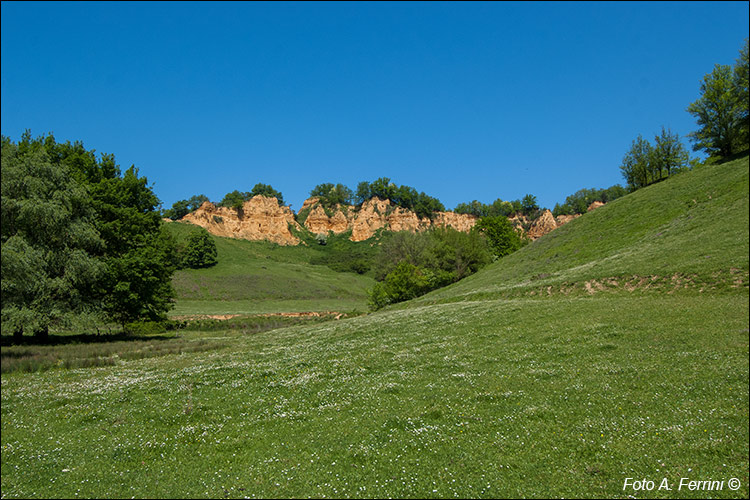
(460, 100)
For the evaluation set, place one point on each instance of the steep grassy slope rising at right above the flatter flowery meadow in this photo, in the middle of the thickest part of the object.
(691, 229)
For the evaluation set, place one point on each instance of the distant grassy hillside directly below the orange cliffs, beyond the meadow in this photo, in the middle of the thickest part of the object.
(260, 277)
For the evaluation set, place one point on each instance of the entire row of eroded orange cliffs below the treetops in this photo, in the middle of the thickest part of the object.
(262, 218)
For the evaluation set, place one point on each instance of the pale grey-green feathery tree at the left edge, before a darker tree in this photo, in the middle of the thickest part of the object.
(48, 241)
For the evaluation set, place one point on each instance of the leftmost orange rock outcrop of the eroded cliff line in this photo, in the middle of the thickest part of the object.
(260, 218)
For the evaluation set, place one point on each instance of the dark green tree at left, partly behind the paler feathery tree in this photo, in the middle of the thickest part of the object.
(138, 254)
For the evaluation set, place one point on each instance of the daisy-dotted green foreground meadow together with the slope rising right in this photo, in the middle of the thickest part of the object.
(615, 347)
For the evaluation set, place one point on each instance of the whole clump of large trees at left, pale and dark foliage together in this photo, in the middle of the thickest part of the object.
(78, 237)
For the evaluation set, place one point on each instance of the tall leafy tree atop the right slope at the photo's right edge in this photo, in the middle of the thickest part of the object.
(719, 113)
